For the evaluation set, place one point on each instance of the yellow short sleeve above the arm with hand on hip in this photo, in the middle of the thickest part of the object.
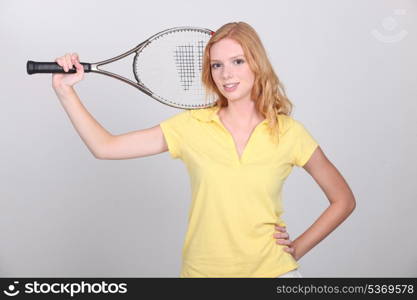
(304, 144)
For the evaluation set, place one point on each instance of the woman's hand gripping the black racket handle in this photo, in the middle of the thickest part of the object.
(62, 81)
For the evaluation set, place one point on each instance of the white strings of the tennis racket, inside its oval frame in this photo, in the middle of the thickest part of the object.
(170, 66)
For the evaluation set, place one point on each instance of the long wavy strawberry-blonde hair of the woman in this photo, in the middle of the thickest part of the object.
(267, 92)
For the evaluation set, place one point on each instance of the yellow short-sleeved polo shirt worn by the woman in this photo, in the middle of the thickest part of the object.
(235, 202)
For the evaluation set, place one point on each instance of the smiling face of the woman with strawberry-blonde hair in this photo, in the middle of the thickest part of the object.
(230, 70)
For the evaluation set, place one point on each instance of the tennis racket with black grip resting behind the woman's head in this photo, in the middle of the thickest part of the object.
(167, 67)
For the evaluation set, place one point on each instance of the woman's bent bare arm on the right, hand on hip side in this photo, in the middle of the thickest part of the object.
(340, 196)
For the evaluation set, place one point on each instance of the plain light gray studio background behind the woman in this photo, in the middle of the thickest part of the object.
(348, 66)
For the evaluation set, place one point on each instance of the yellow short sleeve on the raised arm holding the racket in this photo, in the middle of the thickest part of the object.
(172, 129)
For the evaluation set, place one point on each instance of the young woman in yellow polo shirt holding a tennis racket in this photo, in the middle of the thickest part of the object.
(238, 154)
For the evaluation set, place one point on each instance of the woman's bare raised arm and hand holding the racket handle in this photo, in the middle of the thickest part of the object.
(101, 143)
